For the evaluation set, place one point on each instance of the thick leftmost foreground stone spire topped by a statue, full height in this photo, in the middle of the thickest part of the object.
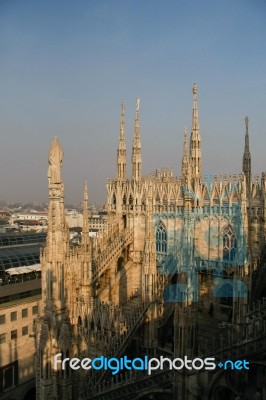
(52, 329)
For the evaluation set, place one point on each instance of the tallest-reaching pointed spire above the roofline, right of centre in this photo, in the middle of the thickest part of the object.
(195, 140)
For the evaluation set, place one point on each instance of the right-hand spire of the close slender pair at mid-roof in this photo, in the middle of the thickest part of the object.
(136, 150)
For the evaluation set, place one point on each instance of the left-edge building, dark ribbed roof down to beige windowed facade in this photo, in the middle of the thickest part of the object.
(20, 292)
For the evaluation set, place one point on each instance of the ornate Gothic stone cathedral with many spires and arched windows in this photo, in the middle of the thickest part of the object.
(178, 272)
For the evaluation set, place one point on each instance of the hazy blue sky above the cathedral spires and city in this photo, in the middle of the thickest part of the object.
(65, 67)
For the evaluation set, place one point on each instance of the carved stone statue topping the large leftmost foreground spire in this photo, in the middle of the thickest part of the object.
(55, 162)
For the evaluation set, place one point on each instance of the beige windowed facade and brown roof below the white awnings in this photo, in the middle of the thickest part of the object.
(18, 308)
